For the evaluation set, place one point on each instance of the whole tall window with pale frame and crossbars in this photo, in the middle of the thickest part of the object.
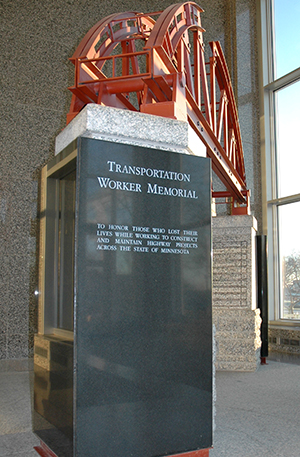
(281, 75)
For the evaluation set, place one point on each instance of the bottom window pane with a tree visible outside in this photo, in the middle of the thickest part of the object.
(289, 247)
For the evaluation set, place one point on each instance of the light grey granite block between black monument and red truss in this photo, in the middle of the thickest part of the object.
(129, 127)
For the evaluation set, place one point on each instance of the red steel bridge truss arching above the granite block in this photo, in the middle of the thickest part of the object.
(155, 63)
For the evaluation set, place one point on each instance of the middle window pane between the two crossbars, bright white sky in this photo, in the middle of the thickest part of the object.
(287, 144)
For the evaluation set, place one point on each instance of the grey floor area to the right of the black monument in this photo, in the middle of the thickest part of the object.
(258, 414)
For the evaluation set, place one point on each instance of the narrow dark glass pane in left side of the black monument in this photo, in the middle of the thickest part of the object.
(66, 251)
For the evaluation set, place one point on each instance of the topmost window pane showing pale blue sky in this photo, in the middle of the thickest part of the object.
(287, 36)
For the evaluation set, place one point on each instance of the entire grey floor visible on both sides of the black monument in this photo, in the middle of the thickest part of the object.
(258, 414)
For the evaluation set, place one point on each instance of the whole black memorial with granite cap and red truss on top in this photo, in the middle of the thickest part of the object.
(123, 357)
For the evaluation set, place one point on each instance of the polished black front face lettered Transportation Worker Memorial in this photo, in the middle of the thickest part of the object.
(142, 306)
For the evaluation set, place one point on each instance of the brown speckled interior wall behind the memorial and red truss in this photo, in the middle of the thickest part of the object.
(39, 37)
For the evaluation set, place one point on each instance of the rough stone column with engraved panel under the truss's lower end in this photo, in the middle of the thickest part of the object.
(235, 315)
